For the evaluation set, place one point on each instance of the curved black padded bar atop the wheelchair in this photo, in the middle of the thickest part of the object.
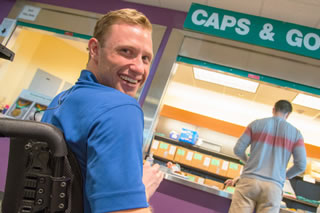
(35, 130)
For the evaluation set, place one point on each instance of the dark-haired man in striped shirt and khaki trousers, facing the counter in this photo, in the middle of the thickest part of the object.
(272, 142)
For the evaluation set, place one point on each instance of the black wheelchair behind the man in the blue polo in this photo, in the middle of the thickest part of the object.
(43, 174)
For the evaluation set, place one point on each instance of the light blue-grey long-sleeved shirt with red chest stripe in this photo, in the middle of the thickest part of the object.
(273, 140)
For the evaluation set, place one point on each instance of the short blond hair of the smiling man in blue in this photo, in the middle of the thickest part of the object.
(127, 15)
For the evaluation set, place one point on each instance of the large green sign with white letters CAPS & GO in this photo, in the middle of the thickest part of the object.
(254, 30)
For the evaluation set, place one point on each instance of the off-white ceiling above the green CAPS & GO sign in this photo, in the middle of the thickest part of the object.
(302, 12)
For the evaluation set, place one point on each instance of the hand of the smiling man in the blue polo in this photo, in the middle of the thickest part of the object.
(152, 178)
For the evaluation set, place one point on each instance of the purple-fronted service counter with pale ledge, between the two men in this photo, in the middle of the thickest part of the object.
(177, 194)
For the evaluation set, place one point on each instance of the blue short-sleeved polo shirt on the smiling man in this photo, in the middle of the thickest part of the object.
(104, 128)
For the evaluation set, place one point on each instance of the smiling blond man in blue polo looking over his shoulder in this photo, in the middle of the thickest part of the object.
(103, 123)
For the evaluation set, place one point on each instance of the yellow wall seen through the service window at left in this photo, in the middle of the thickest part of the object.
(35, 49)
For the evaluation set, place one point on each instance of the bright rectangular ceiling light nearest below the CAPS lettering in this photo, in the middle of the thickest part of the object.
(225, 80)
